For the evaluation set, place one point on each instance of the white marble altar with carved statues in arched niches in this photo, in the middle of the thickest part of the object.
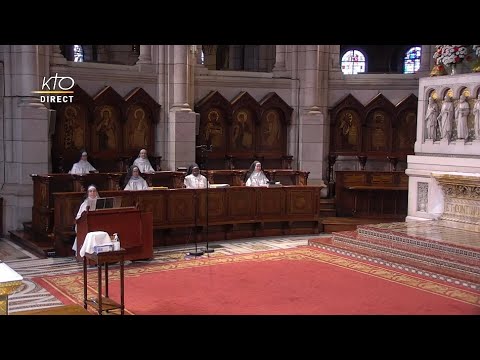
(444, 173)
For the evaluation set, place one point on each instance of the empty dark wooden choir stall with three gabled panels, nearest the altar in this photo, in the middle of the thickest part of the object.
(369, 145)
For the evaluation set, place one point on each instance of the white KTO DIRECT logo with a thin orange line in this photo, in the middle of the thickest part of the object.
(58, 85)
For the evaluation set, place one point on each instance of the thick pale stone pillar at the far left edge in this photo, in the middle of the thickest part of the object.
(25, 137)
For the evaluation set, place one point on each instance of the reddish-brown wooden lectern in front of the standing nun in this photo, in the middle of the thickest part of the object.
(134, 229)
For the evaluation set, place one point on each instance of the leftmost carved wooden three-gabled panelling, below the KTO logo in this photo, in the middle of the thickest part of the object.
(108, 126)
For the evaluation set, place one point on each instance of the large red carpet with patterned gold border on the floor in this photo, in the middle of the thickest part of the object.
(297, 281)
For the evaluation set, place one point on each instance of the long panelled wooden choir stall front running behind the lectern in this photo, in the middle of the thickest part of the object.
(180, 214)
